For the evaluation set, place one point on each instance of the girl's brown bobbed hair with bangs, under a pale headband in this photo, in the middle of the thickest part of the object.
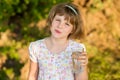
(71, 14)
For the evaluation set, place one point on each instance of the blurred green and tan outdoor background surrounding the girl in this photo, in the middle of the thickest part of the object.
(23, 21)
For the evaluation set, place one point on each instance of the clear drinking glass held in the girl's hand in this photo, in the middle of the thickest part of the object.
(77, 68)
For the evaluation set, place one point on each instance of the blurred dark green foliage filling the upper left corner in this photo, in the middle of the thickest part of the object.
(16, 15)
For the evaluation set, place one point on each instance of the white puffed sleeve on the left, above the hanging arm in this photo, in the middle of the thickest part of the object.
(32, 53)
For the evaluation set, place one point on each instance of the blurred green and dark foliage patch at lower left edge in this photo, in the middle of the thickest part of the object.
(10, 70)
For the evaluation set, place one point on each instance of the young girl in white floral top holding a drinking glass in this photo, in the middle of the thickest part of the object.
(51, 57)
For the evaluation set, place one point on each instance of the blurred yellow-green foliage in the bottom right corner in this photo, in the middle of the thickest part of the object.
(103, 66)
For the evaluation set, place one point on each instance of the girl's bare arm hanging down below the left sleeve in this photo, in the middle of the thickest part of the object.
(33, 71)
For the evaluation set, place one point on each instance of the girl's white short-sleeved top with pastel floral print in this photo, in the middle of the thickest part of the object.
(53, 66)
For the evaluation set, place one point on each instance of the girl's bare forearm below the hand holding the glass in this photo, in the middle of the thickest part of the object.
(83, 75)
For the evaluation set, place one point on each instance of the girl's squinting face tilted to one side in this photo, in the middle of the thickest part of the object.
(61, 27)
